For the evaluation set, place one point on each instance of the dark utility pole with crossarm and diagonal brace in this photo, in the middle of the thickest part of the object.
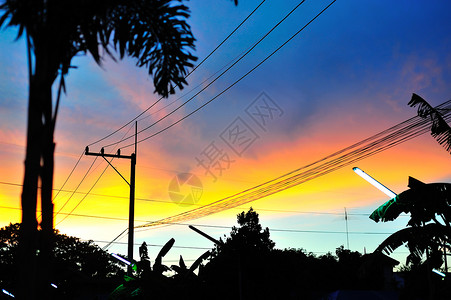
(131, 215)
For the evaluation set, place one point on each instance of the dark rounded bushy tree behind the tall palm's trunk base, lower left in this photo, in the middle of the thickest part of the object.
(75, 264)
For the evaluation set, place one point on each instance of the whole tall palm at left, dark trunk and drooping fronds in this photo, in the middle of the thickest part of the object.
(152, 32)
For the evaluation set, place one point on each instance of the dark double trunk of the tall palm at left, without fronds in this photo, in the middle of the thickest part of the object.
(34, 269)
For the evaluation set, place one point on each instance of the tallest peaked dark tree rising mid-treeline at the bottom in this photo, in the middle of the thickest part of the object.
(238, 268)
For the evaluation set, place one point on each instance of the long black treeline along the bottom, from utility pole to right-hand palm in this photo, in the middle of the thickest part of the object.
(246, 265)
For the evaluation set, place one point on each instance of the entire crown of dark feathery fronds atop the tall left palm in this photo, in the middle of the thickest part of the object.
(154, 33)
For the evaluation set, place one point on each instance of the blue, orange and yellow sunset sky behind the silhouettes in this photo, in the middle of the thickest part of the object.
(345, 77)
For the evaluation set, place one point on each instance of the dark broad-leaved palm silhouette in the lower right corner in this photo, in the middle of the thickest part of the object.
(429, 228)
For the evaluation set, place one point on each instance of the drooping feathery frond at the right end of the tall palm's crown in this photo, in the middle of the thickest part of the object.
(158, 37)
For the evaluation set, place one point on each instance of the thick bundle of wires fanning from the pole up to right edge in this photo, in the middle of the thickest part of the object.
(382, 141)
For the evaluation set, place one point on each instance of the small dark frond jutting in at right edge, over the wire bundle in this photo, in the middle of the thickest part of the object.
(440, 130)
